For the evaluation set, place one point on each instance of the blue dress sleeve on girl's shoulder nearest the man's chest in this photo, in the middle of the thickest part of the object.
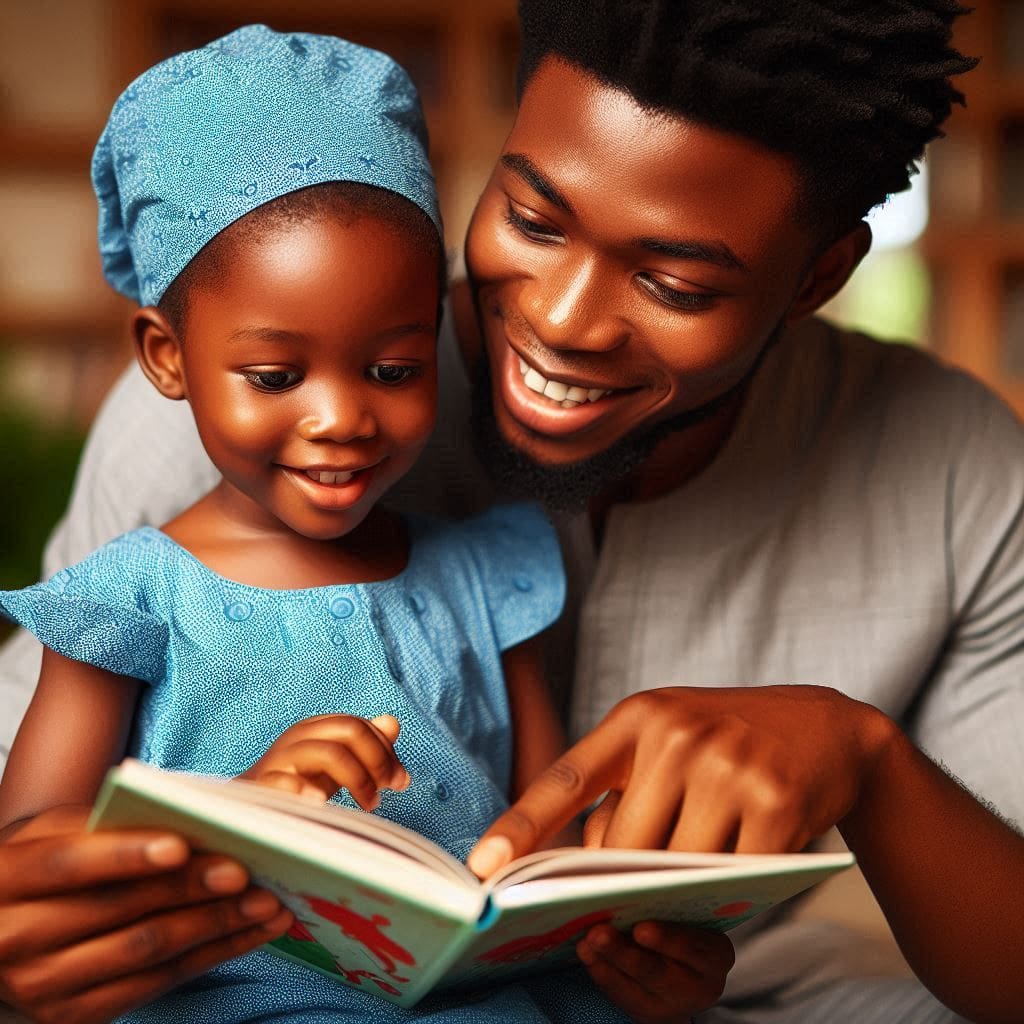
(521, 563)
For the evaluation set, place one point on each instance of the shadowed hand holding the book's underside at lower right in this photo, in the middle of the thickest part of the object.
(661, 975)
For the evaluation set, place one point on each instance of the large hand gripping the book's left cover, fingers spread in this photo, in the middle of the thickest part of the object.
(96, 924)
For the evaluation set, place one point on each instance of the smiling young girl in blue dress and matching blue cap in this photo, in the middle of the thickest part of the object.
(269, 203)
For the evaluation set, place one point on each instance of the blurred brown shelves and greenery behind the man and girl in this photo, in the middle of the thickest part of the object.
(947, 272)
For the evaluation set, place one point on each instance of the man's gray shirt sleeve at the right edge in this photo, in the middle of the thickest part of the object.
(969, 715)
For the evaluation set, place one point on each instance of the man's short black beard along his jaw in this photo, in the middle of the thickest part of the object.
(570, 488)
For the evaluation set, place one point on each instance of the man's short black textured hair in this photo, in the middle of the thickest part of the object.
(852, 91)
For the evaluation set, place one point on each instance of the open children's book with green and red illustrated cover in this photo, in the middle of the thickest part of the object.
(380, 908)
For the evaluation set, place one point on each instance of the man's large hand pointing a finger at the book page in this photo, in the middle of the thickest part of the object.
(759, 770)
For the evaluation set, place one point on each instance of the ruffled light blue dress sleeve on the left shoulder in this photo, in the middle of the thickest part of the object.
(90, 615)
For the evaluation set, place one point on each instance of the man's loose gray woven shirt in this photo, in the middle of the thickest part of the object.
(862, 529)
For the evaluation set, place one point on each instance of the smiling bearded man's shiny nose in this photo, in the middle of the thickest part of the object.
(575, 308)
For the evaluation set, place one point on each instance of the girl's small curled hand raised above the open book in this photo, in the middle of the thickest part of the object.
(319, 756)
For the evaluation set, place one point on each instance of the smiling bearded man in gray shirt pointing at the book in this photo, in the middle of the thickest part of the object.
(749, 497)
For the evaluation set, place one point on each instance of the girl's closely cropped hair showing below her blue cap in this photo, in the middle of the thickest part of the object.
(348, 201)
